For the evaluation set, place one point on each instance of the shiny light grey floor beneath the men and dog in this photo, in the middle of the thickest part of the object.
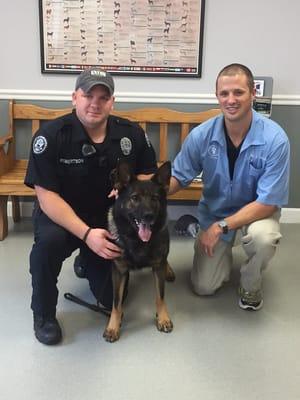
(216, 350)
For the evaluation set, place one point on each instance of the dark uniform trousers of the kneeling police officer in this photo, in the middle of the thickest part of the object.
(52, 245)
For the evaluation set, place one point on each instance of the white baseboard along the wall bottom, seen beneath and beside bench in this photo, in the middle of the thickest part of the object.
(288, 215)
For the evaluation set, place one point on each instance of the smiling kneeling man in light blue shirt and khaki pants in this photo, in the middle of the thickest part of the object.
(244, 160)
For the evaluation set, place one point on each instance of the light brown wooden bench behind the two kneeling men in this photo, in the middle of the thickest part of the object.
(12, 171)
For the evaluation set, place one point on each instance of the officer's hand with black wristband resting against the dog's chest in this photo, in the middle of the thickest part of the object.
(99, 240)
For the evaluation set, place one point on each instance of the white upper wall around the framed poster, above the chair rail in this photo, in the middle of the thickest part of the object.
(265, 35)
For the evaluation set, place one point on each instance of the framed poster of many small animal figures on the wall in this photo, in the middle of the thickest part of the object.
(128, 37)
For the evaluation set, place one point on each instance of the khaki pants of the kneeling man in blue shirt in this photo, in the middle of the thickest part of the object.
(259, 241)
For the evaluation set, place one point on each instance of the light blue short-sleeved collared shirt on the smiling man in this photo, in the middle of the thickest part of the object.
(261, 171)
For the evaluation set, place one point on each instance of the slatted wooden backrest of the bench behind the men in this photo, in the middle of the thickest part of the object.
(163, 117)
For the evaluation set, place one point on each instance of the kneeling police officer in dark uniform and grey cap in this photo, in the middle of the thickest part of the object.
(69, 167)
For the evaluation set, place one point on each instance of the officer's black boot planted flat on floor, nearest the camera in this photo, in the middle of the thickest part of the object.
(47, 329)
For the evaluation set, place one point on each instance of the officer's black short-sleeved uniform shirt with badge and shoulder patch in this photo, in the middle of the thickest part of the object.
(63, 159)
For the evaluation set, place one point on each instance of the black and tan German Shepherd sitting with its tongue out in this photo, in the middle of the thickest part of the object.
(138, 220)
